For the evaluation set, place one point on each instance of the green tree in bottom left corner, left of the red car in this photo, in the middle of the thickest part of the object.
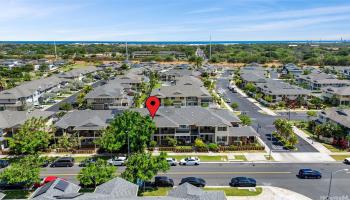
(26, 170)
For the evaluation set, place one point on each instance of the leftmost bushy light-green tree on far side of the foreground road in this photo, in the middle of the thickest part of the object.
(33, 136)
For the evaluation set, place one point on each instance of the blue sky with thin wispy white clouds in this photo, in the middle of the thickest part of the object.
(174, 20)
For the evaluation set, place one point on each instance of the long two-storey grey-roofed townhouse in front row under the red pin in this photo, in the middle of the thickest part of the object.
(184, 124)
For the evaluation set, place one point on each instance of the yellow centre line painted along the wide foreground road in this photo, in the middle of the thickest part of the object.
(185, 173)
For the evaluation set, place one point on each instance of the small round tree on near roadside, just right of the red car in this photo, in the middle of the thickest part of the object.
(96, 173)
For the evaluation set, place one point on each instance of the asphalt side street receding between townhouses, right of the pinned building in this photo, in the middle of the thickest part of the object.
(263, 123)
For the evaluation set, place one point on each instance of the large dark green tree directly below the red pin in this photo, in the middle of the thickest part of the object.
(130, 126)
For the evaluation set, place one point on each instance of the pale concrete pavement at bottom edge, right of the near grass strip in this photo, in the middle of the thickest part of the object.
(273, 193)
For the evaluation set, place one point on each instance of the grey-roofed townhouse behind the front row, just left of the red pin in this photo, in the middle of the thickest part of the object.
(108, 96)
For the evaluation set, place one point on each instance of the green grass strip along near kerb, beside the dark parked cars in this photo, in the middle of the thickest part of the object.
(229, 191)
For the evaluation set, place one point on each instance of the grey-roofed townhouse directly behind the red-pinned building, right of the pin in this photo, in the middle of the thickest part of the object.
(187, 91)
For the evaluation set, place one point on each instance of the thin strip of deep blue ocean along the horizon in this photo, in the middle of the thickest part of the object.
(178, 42)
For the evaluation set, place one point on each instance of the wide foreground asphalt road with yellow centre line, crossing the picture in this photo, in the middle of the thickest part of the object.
(267, 174)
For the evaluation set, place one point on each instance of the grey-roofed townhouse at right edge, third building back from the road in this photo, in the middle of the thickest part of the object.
(318, 80)
